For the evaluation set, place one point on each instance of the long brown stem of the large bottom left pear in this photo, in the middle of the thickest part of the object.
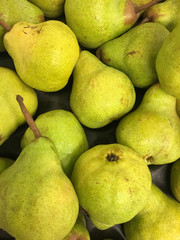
(28, 117)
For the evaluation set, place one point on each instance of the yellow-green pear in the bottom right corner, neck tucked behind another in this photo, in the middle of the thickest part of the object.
(159, 218)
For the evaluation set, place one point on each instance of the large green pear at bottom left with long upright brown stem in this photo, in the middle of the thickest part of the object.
(37, 198)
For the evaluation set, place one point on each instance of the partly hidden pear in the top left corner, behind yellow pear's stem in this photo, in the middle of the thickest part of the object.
(12, 11)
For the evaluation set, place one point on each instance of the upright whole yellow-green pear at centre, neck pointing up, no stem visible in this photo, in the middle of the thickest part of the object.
(100, 94)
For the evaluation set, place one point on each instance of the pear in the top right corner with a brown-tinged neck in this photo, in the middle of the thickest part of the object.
(166, 13)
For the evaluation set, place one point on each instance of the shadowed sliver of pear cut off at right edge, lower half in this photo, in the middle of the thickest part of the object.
(175, 179)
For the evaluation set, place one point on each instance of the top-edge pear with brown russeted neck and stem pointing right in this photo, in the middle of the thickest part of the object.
(96, 22)
